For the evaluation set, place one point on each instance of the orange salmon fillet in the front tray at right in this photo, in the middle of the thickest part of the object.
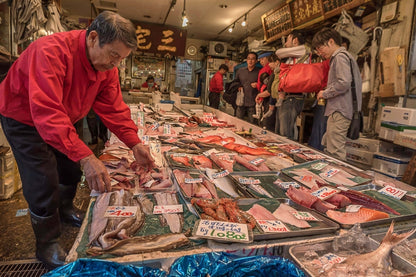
(363, 215)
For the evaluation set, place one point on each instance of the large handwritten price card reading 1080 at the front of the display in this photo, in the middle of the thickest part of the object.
(222, 230)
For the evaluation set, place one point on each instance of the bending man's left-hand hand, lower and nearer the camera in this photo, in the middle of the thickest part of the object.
(96, 174)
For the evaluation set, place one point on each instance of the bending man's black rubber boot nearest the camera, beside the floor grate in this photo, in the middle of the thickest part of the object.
(47, 231)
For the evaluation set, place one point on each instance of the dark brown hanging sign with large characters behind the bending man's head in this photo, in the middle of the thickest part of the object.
(161, 40)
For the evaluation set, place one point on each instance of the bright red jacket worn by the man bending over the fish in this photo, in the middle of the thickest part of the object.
(52, 85)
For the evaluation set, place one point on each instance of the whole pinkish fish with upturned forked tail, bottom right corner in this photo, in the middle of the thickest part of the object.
(376, 263)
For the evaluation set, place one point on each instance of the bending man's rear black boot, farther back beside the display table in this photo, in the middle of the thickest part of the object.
(69, 214)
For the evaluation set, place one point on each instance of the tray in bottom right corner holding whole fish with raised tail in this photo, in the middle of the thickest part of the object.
(354, 254)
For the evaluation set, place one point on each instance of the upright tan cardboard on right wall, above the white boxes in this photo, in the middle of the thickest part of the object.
(392, 71)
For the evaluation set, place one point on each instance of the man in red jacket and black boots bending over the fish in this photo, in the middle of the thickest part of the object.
(52, 85)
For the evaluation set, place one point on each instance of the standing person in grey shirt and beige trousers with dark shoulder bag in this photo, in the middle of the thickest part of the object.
(343, 91)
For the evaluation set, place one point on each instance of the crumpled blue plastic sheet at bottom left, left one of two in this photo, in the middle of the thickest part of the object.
(93, 267)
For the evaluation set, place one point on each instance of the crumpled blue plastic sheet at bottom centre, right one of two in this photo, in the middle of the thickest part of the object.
(222, 264)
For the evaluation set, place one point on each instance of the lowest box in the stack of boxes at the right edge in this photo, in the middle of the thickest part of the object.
(391, 163)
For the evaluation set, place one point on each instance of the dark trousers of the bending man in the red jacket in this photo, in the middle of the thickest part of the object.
(42, 168)
